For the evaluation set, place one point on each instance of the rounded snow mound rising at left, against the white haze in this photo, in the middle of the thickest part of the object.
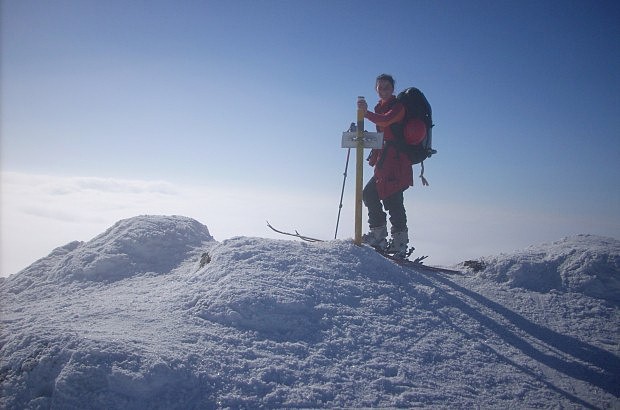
(142, 244)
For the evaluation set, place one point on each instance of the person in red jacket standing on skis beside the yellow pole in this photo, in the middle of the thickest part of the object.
(393, 174)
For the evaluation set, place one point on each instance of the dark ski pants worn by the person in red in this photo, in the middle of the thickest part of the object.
(393, 204)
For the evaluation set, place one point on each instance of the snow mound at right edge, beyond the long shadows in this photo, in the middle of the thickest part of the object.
(586, 264)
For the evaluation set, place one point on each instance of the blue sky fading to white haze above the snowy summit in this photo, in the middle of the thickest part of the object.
(237, 108)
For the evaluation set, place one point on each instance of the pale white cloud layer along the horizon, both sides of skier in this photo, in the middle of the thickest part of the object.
(40, 213)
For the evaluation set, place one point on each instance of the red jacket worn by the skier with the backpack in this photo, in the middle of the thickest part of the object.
(394, 173)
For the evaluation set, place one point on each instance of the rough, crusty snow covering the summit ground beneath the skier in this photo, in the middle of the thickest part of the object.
(154, 313)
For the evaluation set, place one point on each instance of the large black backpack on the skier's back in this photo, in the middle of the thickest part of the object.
(416, 106)
